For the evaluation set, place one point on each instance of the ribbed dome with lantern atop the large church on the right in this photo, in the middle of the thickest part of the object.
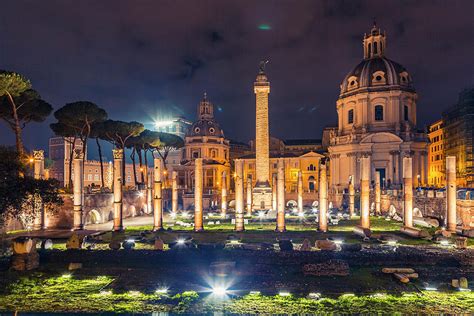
(376, 72)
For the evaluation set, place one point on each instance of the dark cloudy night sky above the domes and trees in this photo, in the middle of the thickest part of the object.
(142, 60)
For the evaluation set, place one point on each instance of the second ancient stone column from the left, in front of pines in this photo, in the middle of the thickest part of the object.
(78, 187)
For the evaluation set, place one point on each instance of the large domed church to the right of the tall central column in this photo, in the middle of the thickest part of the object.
(376, 113)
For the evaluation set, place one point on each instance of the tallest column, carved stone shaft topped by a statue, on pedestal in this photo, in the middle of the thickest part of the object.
(262, 192)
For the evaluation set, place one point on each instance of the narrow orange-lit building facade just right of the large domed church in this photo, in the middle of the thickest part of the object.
(436, 162)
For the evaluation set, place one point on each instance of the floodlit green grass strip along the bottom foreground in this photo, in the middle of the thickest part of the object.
(38, 293)
